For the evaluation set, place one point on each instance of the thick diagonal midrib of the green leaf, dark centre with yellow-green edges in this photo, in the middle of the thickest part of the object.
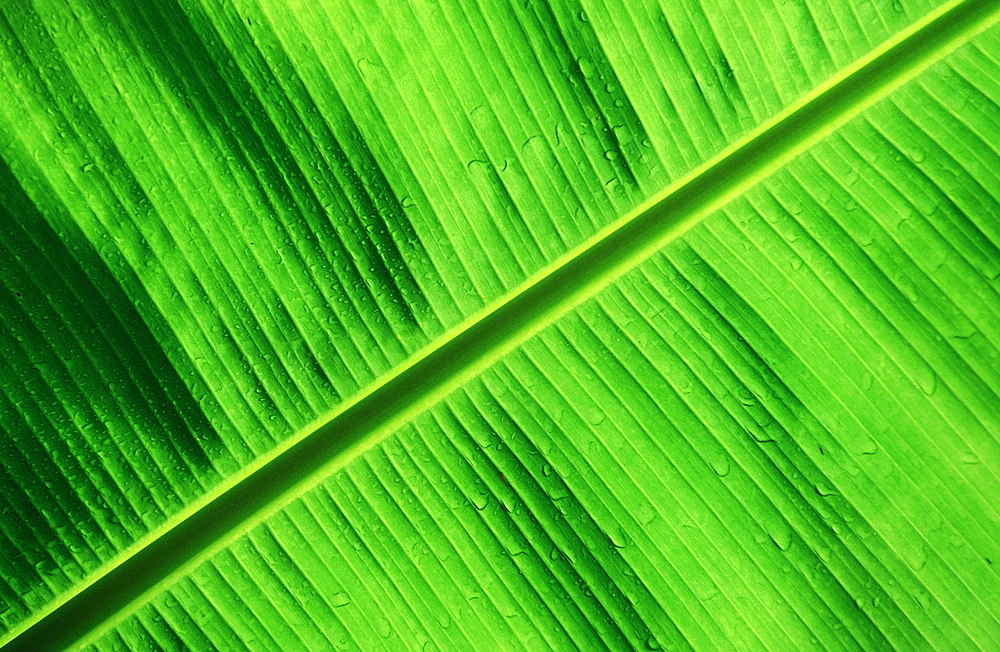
(270, 483)
